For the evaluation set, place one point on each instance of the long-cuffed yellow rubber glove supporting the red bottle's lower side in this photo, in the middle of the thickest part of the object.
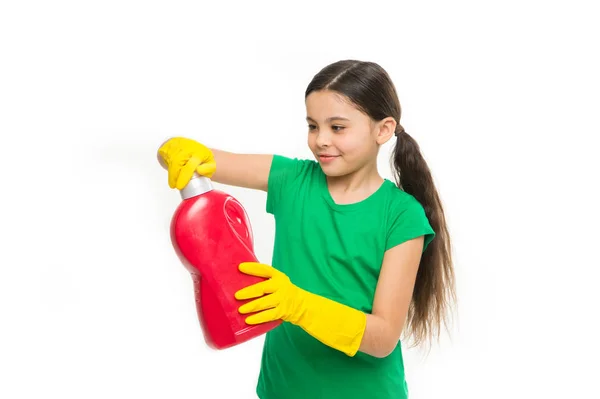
(334, 324)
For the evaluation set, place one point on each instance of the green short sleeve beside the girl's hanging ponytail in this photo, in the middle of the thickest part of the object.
(410, 222)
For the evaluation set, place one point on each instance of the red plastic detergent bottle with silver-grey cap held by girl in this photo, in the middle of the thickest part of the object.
(212, 235)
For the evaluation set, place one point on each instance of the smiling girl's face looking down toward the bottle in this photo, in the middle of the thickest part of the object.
(342, 138)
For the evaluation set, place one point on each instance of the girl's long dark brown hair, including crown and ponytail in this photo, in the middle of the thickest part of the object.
(369, 87)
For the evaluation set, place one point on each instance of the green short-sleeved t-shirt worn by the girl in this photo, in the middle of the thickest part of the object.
(335, 251)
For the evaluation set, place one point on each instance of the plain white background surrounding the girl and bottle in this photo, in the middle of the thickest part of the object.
(503, 98)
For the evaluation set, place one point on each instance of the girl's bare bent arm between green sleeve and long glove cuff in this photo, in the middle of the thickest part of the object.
(392, 298)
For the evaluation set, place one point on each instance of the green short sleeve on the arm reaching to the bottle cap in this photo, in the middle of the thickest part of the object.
(283, 174)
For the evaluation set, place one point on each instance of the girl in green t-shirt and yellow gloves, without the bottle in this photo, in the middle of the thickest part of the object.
(357, 259)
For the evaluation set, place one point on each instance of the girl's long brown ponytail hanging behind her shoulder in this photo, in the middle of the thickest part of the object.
(434, 286)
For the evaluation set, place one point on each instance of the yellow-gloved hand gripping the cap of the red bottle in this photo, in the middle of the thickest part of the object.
(182, 157)
